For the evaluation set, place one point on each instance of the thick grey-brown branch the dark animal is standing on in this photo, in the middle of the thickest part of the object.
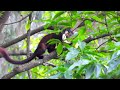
(29, 65)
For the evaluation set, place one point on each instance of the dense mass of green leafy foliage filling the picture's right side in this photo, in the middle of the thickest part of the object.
(99, 58)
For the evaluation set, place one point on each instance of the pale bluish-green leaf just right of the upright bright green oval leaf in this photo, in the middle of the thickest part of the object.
(72, 54)
